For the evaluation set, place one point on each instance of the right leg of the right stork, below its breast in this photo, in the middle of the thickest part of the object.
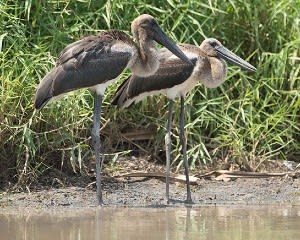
(183, 144)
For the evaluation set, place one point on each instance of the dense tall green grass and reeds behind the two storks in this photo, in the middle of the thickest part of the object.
(250, 119)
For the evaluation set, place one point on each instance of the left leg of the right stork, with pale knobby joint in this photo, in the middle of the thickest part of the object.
(168, 149)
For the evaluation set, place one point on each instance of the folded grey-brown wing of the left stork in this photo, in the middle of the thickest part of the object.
(90, 61)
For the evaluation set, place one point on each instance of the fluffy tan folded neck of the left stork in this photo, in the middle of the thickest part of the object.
(146, 60)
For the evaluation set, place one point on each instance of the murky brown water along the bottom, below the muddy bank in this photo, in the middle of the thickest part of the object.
(222, 222)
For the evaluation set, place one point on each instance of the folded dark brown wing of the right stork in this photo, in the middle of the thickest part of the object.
(172, 72)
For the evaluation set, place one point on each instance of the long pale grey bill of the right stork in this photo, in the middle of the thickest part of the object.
(226, 54)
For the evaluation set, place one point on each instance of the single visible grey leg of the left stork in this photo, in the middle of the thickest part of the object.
(96, 143)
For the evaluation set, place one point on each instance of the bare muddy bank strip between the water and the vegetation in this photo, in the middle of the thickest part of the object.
(150, 192)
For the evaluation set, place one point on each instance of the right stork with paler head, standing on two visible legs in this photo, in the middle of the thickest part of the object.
(176, 78)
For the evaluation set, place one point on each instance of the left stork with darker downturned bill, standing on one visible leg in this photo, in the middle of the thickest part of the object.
(96, 61)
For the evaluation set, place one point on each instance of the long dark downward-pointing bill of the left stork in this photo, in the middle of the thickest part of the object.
(163, 39)
